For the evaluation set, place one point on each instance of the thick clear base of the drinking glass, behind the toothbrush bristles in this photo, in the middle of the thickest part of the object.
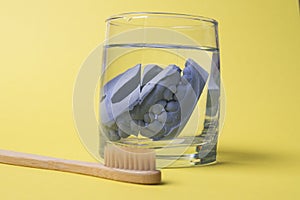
(179, 152)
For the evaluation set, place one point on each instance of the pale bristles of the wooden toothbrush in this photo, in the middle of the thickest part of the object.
(129, 158)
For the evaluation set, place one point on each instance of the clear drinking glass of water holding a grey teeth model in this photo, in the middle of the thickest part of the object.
(160, 86)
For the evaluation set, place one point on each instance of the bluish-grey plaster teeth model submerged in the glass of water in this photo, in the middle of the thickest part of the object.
(156, 105)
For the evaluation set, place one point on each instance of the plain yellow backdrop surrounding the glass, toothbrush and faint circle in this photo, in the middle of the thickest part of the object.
(43, 44)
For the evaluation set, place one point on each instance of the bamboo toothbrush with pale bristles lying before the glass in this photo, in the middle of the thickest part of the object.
(121, 164)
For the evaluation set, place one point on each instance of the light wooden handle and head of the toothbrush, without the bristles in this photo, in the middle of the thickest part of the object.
(79, 167)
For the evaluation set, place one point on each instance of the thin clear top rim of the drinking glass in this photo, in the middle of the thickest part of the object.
(136, 15)
